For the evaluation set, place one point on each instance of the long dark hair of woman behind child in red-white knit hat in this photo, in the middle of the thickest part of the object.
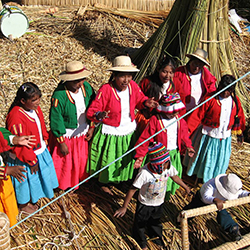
(155, 84)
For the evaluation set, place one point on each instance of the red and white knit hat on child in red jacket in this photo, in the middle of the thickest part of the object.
(170, 103)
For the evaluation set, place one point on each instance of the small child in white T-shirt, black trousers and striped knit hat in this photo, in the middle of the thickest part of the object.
(152, 183)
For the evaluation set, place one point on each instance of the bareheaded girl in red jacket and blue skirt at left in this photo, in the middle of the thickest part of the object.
(25, 118)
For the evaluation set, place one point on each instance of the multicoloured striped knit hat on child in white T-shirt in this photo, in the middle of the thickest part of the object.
(158, 154)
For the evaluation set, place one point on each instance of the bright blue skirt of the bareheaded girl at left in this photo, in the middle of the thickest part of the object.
(38, 185)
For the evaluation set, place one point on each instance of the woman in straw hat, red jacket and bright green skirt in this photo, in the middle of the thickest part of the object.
(113, 108)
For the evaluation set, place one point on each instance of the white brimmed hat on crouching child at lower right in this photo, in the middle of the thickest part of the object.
(228, 185)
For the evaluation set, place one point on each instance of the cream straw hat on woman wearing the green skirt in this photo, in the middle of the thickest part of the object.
(123, 64)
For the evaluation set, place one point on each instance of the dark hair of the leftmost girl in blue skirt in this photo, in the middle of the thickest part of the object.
(26, 91)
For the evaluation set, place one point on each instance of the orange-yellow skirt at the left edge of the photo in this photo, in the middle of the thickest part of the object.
(8, 203)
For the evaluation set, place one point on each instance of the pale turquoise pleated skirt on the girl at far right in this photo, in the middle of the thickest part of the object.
(212, 157)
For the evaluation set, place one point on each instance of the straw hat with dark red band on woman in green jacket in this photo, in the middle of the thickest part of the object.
(74, 70)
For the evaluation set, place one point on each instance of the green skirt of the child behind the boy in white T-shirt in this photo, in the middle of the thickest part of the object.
(175, 158)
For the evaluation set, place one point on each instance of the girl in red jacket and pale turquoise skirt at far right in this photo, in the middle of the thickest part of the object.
(219, 117)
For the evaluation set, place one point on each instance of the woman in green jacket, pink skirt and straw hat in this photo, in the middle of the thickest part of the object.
(69, 127)
